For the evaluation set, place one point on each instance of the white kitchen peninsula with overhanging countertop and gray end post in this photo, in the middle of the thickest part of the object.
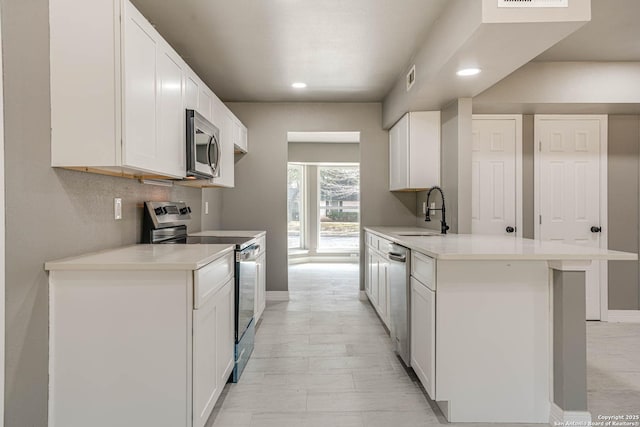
(498, 324)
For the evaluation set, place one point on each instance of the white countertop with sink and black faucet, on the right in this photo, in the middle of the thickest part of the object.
(478, 247)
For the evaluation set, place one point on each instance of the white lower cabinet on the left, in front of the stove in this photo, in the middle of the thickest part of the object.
(139, 348)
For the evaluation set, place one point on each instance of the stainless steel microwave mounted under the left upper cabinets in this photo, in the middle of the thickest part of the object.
(203, 147)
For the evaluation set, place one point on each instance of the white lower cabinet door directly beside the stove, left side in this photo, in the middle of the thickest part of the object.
(224, 333)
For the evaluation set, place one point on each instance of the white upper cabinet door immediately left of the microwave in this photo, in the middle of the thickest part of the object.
(171, 116)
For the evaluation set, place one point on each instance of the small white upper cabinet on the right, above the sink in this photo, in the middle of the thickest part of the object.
(414, 151)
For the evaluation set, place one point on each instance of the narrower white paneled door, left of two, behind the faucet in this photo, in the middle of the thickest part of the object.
(496, 180)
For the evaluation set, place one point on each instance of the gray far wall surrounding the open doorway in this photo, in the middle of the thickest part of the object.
(259, 200)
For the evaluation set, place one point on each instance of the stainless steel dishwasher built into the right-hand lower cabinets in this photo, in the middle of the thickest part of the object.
(400, 293)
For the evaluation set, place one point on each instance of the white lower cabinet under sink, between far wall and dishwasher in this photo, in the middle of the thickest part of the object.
(377, 277)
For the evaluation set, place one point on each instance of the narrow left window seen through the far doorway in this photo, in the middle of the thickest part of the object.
(295, 206)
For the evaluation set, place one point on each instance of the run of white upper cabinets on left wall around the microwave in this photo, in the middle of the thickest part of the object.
(119, 94)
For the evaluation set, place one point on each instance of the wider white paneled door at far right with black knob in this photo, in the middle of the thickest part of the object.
(571, 191)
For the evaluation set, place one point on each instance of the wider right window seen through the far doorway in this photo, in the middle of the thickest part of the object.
(338, 208)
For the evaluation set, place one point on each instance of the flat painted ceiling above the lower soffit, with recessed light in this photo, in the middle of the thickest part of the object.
(346, 51)
